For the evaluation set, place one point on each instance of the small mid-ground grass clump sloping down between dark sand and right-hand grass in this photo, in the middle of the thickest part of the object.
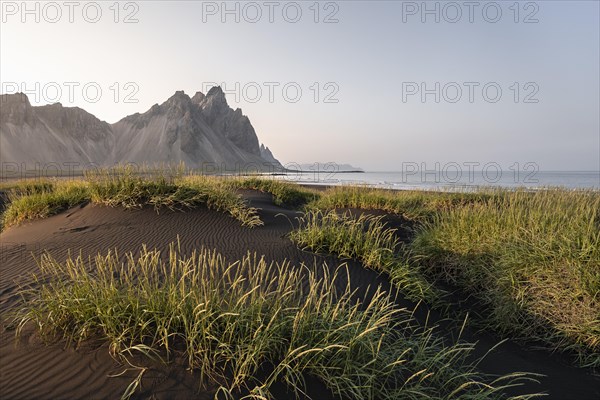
(367, 239)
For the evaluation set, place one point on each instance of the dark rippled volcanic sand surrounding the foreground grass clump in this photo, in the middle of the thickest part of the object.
(33, 370)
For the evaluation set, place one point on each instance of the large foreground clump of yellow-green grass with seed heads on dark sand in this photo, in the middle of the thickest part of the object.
(229, 319)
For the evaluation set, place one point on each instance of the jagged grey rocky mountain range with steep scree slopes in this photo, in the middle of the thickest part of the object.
(202, 131)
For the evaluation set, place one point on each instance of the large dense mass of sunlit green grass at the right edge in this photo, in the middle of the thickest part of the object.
(532, 258)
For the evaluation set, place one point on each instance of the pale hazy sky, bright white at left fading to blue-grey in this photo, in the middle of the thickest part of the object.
(371, 83)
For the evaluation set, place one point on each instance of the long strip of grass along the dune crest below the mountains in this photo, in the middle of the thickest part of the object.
(128, 188)
